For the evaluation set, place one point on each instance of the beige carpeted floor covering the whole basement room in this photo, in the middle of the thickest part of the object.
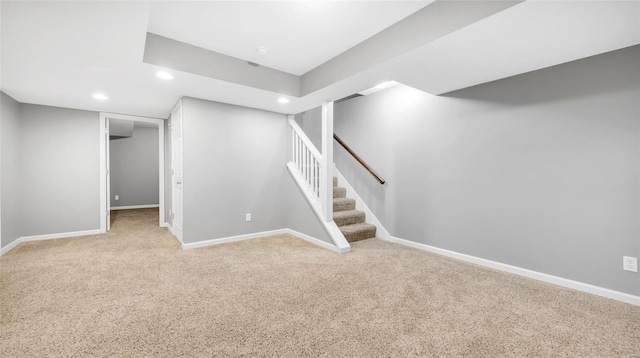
(135, 293)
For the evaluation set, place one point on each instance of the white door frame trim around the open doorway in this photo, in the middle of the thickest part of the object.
(103, 163)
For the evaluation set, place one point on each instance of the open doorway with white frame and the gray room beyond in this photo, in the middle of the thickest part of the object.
(112, 128)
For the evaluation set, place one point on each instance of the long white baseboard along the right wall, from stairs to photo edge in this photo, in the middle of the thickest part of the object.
(576, 285)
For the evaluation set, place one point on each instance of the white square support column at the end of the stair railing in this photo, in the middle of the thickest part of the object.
(326, 174)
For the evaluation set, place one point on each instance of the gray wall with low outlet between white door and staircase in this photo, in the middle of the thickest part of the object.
(234, 163)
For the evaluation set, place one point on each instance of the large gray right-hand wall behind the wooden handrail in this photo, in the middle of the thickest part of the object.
(540, 170)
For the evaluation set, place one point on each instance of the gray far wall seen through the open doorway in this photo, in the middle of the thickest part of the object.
(134, 168)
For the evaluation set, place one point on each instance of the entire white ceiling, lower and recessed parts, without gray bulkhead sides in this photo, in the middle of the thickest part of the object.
(60, 53)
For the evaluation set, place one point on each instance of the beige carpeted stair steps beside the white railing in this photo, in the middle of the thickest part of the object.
(351, 222)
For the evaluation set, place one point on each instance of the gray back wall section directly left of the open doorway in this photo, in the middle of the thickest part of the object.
(59, 151)
